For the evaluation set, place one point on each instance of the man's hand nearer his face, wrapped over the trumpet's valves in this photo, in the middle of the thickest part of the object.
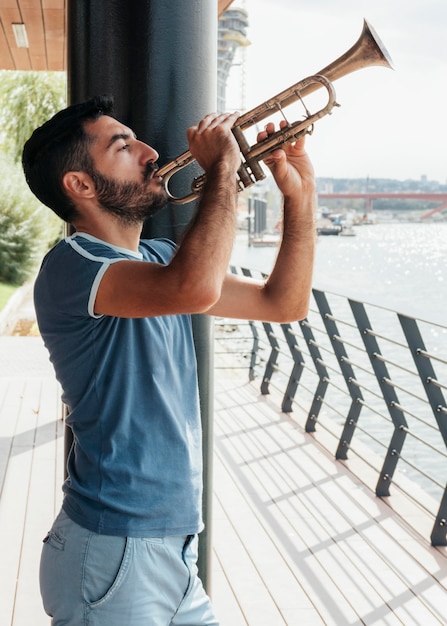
(211, 141)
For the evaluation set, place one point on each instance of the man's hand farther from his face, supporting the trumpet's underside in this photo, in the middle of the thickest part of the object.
(289, 165)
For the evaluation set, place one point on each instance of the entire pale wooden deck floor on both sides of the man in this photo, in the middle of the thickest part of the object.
(298, 540)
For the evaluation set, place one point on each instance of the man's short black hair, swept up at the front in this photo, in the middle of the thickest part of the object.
(59, 146)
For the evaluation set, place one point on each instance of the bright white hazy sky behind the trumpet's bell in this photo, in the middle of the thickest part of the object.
(391, 123)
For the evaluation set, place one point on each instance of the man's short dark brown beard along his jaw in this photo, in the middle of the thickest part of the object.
(130, 202)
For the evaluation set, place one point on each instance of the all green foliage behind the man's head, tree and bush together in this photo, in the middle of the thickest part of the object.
(27, 228)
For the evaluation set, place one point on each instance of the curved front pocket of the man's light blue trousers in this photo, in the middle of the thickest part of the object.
(105, 564)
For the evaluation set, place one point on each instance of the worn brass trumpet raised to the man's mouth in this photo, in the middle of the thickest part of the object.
(367, 51)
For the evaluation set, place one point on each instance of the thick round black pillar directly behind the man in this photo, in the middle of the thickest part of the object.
(158, 58)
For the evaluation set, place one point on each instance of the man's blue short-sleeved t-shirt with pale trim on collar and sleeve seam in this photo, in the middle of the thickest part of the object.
(130, 385)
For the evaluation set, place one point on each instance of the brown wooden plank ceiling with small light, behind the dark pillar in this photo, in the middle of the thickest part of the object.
(45, 24)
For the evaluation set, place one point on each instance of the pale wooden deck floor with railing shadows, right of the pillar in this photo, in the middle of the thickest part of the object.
(300, 539)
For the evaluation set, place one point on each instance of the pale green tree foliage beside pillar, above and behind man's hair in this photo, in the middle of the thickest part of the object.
(27, 100)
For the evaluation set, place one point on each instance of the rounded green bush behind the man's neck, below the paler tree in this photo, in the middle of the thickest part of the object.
(27, 228)
